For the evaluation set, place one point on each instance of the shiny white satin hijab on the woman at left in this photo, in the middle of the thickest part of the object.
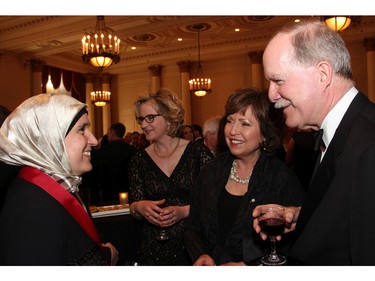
(33, 135)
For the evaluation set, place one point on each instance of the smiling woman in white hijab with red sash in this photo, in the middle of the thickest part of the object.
(43, 220)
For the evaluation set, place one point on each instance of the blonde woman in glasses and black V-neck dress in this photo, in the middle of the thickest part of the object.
(161, 177)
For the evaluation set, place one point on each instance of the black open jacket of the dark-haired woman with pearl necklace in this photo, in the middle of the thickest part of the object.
(271, 182)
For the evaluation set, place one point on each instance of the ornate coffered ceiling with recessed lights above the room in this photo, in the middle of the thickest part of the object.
(57, 39)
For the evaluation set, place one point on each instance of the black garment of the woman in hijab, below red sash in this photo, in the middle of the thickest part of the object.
(37, 230)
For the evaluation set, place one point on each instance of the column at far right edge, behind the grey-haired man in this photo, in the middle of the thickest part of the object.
(369, 44)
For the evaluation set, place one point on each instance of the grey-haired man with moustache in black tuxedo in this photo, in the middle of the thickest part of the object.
(308, 67)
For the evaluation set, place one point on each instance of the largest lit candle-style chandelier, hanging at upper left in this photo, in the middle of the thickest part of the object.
(100, 49)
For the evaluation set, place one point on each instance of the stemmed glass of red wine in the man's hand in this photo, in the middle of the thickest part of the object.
(272, 222)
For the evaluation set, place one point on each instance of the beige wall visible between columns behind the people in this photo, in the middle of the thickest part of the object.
(227, 75)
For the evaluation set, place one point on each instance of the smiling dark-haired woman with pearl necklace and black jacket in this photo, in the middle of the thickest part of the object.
(219, 229)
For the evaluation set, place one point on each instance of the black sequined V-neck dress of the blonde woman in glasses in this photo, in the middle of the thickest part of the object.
(148, 182)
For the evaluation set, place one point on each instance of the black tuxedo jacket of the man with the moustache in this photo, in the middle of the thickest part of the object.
(336, 225)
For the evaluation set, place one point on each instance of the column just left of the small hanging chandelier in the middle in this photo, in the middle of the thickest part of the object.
(184, 88)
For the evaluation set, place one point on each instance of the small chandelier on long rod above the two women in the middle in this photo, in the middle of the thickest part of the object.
(199, 86)
